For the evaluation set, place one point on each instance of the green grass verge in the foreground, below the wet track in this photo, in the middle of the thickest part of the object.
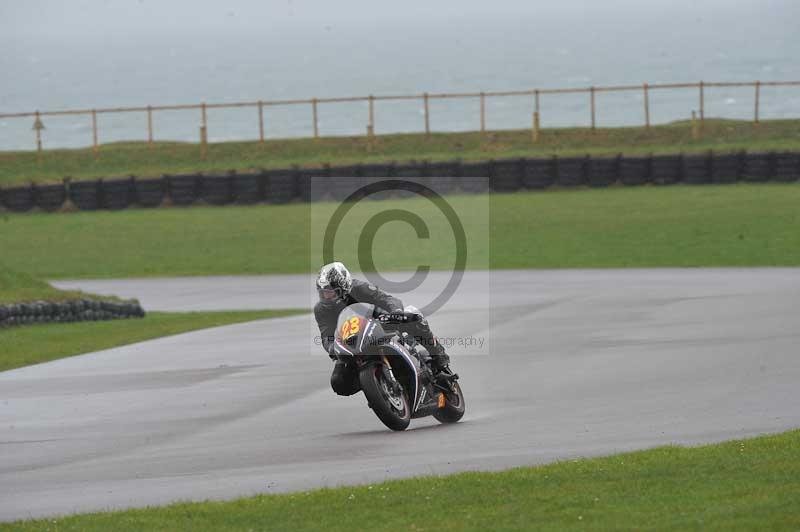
(749, 484)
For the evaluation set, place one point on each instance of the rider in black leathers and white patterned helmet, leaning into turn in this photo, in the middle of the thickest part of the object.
(337, 289)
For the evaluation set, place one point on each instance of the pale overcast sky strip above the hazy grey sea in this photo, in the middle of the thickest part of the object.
(79, 19)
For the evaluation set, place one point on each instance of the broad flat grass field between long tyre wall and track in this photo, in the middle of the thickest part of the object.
(735, 225)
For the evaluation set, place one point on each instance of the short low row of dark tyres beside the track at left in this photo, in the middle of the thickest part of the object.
(67, 311)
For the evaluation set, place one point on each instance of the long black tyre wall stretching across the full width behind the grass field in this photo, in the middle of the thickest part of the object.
(505, 175)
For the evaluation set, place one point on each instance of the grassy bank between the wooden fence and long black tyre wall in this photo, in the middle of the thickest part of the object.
(125, 158)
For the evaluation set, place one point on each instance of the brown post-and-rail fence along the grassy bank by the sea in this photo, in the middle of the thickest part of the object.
(261, 107)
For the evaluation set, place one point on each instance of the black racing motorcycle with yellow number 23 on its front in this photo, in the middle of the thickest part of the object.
(394, 369)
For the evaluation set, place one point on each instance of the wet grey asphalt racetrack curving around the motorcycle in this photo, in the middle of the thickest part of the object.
(575, 363)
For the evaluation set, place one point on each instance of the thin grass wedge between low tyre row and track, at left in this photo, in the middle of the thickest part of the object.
(33, 344)
